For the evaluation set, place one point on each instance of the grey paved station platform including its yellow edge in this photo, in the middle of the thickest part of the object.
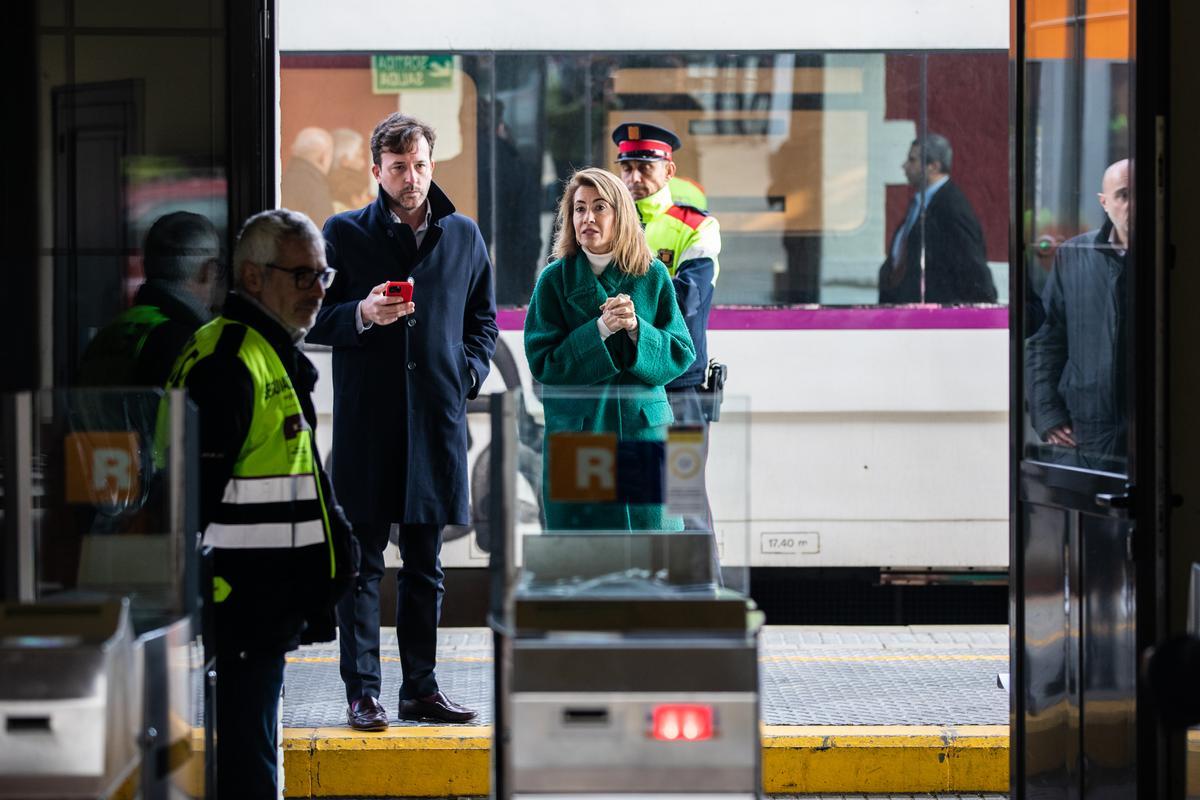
(845, 711)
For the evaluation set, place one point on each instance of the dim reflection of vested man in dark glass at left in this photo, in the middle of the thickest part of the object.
(183, 268)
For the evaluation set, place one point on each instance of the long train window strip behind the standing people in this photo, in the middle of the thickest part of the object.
(801, 157)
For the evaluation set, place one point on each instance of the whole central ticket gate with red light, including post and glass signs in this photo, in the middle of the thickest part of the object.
(625, 669)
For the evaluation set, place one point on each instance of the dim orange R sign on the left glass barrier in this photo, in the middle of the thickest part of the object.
(103, 468)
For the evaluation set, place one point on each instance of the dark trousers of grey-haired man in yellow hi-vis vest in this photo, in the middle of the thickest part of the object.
(249, 688)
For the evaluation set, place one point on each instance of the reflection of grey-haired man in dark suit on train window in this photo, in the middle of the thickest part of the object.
(938, 252)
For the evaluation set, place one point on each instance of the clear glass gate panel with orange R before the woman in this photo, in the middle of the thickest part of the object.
(631, 497)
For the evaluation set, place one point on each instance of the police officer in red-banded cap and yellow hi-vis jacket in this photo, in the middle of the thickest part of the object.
(688, 240)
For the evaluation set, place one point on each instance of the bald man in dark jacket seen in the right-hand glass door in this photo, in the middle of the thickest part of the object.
(1076, 363)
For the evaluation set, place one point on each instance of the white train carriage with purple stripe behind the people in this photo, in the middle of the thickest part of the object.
(878, 435)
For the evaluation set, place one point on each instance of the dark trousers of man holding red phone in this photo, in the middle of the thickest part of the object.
(419, 591)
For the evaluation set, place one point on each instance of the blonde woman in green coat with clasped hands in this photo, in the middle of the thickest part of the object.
(604, 335)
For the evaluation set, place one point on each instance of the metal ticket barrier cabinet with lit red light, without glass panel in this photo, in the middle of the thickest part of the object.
(619, 693)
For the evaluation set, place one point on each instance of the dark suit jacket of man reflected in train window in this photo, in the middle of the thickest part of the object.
(956, 260)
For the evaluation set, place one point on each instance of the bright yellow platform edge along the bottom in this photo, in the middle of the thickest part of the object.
(410, 762)
